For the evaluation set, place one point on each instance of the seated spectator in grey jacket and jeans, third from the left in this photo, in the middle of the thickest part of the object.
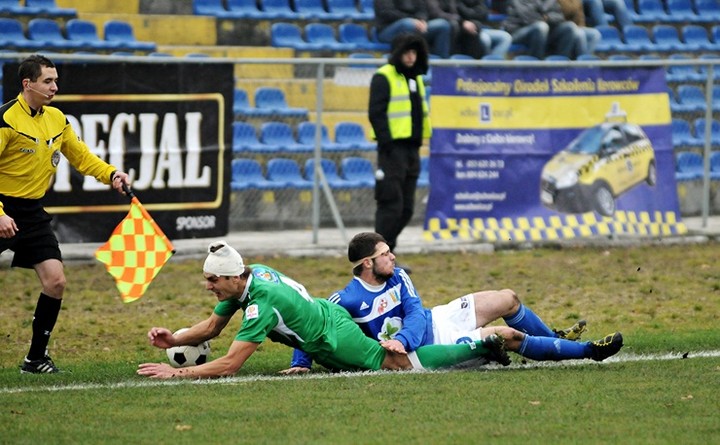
(541, 26)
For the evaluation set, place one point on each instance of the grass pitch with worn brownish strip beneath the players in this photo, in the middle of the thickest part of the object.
(665, 300)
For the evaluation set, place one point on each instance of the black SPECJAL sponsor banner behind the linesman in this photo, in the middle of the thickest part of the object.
(167, 125)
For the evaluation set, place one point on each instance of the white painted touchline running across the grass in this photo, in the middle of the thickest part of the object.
(147, 383)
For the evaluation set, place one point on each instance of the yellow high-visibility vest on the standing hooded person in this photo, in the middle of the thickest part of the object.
(400, 106)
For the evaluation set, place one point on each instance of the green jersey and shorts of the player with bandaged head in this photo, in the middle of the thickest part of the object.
(279, 308)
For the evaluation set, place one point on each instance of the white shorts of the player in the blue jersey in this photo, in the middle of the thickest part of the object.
(455, 322)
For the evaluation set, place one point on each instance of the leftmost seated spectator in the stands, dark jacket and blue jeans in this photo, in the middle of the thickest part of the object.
(395, 17)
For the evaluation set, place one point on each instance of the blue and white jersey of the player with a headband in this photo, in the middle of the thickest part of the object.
(392, 310)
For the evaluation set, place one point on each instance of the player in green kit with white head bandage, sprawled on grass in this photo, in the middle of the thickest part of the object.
(276, 307)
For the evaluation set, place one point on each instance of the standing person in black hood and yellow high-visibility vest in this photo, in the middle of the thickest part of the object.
(398, 113)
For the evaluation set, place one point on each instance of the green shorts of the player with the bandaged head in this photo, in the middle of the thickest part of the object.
(353, 349)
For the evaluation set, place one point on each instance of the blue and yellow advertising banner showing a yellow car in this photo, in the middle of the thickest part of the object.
(532, 154)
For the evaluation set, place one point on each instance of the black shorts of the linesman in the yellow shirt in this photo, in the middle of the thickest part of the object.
(35, 241)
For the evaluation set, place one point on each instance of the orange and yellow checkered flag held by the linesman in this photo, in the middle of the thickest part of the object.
(135, 252)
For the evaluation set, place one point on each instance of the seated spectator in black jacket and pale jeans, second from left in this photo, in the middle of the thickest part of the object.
(471, 37)
